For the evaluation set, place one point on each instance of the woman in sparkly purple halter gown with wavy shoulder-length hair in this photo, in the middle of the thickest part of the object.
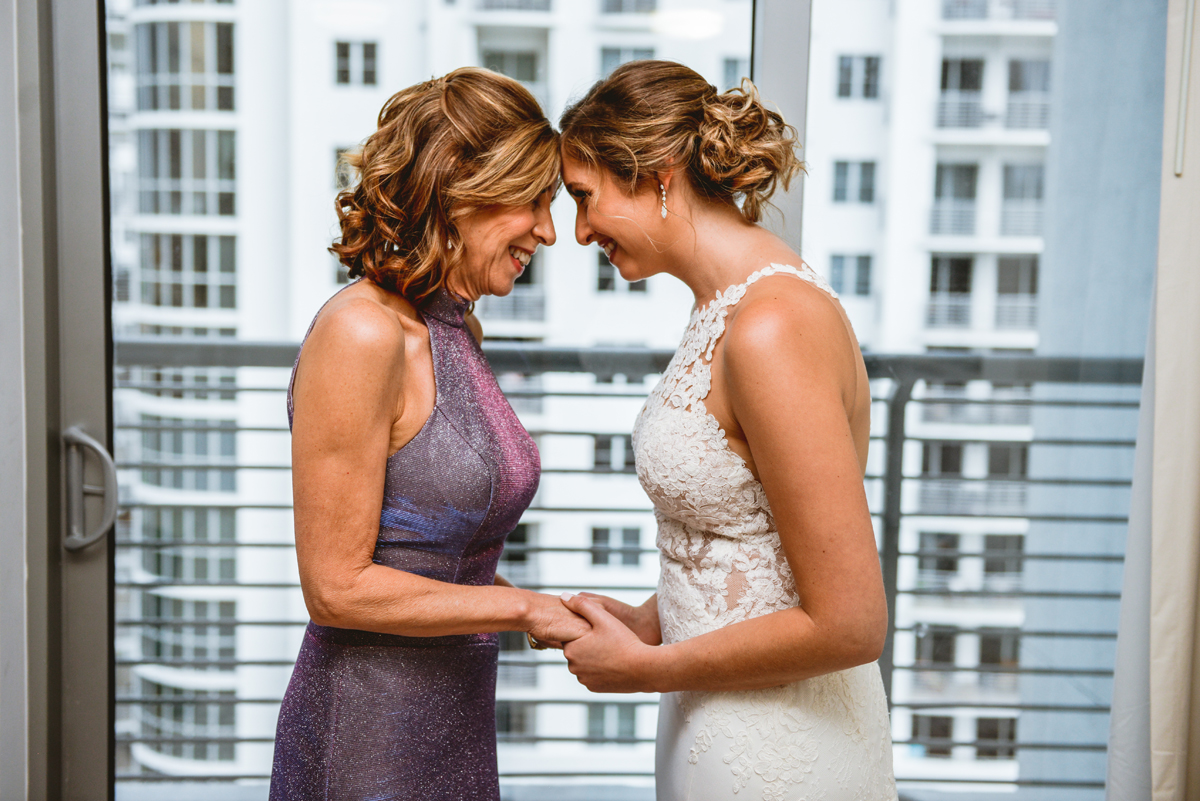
(410, 468)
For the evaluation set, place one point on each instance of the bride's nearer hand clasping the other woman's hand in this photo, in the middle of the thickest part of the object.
(610, 659)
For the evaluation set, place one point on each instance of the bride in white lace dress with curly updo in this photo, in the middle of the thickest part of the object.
(771, 612)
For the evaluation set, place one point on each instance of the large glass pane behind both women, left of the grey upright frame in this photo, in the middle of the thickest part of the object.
(223, 214)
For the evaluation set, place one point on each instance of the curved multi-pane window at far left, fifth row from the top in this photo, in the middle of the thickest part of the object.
(166, 441)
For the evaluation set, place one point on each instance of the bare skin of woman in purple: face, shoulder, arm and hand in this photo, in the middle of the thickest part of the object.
(364, 389)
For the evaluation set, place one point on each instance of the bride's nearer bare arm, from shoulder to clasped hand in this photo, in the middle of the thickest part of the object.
(790, 370)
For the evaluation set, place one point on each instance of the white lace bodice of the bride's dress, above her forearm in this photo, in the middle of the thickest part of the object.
(722, 557)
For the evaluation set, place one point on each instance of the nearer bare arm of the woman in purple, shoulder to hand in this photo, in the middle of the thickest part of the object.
(353, 371)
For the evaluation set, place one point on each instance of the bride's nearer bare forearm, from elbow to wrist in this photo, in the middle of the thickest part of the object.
(766, 652)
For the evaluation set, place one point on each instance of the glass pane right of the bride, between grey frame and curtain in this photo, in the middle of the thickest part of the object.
(1010, 529)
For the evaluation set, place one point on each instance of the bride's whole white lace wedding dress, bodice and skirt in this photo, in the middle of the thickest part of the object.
(821, 739)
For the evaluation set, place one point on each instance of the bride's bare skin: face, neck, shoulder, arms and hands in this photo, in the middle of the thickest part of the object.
(791, 393)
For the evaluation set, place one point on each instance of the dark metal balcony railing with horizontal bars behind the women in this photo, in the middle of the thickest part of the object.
(1072, 555)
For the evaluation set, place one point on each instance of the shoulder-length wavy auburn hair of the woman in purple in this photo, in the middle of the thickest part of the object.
(443, 149)
